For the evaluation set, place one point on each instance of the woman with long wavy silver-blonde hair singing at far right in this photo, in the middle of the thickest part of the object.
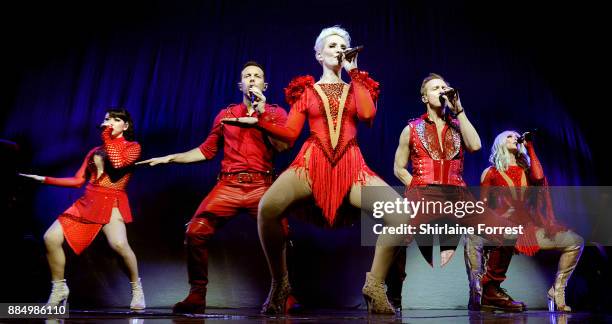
(515, 166)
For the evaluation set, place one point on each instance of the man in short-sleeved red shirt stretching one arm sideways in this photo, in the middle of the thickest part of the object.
(246, 174)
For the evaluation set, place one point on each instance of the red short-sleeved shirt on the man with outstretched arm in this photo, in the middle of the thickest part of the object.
(245, 149)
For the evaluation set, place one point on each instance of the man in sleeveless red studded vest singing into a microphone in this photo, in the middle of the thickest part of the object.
(434, 143)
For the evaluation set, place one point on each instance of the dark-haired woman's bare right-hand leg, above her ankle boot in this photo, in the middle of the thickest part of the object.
(117, 239)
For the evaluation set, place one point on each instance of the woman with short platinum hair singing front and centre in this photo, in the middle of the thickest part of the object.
(329, 165)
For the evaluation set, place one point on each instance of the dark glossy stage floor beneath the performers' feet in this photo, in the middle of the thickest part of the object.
(244, 315)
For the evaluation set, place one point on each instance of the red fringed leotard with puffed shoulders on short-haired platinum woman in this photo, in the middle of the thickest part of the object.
(330, 157)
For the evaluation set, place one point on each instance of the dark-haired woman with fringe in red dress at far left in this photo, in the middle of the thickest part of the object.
(104, 206)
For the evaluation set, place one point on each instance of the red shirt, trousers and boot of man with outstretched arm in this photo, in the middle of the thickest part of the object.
(246, 174)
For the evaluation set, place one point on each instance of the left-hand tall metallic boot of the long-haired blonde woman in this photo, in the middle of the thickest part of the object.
(473, 255)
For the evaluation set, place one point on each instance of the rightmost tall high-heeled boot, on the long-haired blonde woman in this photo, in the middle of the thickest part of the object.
(567, 264)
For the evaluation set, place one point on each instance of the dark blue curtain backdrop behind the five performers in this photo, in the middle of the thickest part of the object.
(174, 65)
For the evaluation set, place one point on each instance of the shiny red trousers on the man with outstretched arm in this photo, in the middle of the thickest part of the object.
(227, 199)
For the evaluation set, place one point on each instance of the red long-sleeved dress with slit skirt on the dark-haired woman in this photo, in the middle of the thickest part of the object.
(82, 221)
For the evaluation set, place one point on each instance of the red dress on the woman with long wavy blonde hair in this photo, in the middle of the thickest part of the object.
(531, 208)
